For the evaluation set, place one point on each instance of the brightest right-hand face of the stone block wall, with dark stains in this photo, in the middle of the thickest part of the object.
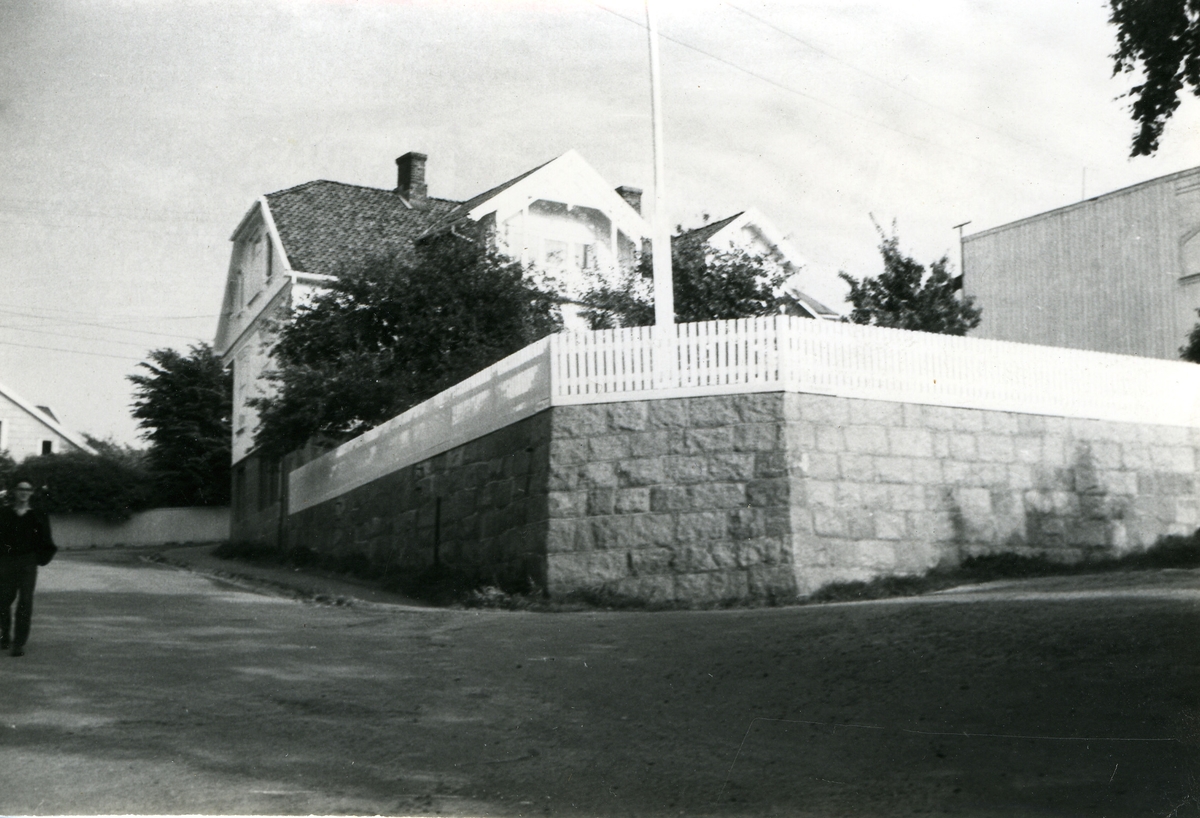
(899, 489)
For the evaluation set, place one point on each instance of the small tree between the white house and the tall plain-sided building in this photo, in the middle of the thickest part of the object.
(903, 296)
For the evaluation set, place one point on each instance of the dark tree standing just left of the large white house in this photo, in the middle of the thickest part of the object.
(184, 406)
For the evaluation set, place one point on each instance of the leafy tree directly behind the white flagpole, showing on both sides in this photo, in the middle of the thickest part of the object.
(709, 286)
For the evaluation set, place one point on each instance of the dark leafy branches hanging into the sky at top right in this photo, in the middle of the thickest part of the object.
(1161, 39)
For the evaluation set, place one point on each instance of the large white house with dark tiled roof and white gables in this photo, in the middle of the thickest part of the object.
(561, 218)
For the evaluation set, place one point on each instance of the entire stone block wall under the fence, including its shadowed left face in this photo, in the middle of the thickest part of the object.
(765, 496)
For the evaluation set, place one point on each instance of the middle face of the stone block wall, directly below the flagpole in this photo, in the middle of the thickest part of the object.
(686, 498)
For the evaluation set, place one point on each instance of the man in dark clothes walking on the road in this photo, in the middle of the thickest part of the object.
(26, 544)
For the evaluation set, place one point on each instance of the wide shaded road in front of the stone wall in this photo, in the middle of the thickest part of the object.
(152, 690)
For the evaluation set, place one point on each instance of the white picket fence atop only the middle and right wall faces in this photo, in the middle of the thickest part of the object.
(783, 353)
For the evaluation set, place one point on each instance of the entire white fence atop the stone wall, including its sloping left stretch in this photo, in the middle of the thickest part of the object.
(779, 353)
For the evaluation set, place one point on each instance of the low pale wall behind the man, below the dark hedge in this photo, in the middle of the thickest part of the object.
(155, 527)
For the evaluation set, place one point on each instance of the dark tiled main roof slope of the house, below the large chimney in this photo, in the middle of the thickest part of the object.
(326, 226)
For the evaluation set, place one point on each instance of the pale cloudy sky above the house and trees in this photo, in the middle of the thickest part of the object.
(135, 135)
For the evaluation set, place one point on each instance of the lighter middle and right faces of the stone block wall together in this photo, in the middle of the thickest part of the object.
(776, 495)
